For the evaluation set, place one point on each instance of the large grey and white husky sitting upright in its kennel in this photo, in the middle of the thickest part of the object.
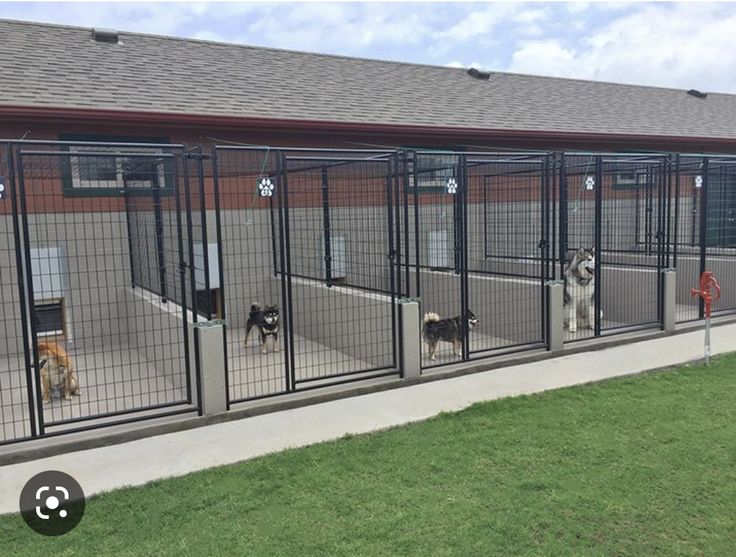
(579, 302)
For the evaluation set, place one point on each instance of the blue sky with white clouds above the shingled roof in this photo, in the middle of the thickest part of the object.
(681, 45)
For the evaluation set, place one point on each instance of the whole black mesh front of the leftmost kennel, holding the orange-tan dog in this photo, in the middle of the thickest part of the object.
(99, 261)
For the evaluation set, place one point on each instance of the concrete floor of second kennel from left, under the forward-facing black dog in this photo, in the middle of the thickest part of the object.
(252, 374)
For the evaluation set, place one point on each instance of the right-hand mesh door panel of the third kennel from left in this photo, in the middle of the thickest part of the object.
(508, 234)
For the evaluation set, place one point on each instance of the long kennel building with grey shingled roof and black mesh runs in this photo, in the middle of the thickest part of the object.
(142, 216)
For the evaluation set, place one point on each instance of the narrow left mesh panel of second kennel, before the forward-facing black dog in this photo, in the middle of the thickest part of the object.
(249, 197)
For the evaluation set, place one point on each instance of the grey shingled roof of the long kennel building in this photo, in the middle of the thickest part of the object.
(63, 67)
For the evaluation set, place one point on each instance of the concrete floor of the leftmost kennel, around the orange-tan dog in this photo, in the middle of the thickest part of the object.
(117, 379)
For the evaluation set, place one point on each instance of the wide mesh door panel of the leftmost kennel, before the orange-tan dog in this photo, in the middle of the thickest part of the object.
(77, 269)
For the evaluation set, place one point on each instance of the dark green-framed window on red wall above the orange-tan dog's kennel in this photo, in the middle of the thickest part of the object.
(99, 175)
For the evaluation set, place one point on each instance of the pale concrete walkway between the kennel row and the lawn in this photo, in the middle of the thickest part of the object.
(174, 454)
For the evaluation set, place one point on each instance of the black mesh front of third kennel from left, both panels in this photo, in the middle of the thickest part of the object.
(480, 226)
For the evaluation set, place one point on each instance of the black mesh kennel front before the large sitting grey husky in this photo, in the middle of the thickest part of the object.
(618, 205)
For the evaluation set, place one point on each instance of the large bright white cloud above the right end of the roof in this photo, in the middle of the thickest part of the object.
(681, 45)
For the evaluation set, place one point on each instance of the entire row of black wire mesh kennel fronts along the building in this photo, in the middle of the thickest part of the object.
(111, 254)
